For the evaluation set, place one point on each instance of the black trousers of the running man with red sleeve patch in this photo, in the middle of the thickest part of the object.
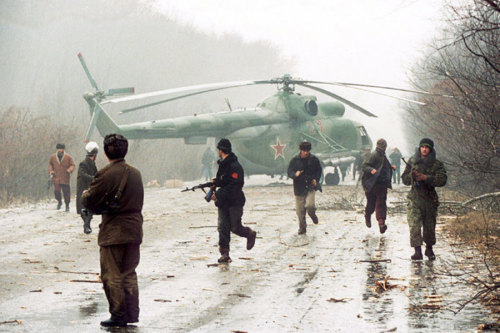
(230, 221)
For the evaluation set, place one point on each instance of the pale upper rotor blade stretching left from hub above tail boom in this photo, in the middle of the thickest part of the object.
(210, 86)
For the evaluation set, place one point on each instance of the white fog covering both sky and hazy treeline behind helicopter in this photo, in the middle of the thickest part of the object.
(155, 45)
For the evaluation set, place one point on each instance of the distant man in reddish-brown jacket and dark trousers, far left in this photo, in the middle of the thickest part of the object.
(61, 165)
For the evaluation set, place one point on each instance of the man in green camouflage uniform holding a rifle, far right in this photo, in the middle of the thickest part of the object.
(423, 173)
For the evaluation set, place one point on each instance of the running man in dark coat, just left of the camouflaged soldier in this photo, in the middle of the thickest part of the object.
(376, 179)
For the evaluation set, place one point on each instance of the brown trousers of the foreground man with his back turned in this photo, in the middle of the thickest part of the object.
(119, 279)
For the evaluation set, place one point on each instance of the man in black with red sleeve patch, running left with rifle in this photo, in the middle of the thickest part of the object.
(230, 199)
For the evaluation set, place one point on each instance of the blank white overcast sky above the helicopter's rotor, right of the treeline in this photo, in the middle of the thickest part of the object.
(363, 41)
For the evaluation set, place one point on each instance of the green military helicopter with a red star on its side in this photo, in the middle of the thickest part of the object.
(265, 137)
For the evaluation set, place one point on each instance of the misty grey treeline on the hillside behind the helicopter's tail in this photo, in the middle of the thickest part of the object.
(125, 43)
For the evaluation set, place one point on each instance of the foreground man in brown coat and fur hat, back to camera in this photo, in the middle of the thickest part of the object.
(117, 193)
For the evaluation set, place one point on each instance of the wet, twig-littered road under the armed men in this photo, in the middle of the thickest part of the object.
(324, 281)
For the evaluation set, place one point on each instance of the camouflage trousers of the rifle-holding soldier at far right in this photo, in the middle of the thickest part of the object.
(422, 216)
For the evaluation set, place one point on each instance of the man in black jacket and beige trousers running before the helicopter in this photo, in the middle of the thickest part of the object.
(305, 170)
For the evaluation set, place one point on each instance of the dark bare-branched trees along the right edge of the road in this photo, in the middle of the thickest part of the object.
(466, 128)
